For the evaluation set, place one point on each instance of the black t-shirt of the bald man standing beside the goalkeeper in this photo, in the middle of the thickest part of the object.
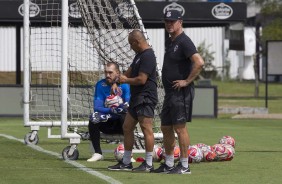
(144, 62)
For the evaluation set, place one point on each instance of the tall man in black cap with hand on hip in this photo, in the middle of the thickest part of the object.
(181, 66)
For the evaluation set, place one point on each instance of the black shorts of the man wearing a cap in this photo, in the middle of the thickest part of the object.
(177, 107)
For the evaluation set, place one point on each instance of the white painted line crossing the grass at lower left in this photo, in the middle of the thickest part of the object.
(74, 163)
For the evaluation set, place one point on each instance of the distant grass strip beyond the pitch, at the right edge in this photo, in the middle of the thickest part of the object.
(241, 94)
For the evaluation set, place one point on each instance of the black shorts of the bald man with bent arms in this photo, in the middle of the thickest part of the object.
(145, 109)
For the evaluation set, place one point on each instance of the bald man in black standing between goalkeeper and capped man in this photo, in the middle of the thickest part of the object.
(141, 75)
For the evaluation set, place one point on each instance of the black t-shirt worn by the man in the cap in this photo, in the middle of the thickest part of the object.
(177, 64)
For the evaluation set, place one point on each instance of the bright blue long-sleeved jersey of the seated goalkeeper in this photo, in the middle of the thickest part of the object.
(102, 91)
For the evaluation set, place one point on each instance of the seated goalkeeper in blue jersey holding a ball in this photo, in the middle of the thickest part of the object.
(107, 117)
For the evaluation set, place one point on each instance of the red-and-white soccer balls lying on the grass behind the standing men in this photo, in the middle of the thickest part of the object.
(224, 150)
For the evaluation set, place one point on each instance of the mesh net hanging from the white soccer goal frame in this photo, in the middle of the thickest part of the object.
(97, 33)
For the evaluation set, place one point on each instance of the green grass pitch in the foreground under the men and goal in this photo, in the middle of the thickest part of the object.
(258, 156)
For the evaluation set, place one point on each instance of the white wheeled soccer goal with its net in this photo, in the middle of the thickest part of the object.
(65, 48)
